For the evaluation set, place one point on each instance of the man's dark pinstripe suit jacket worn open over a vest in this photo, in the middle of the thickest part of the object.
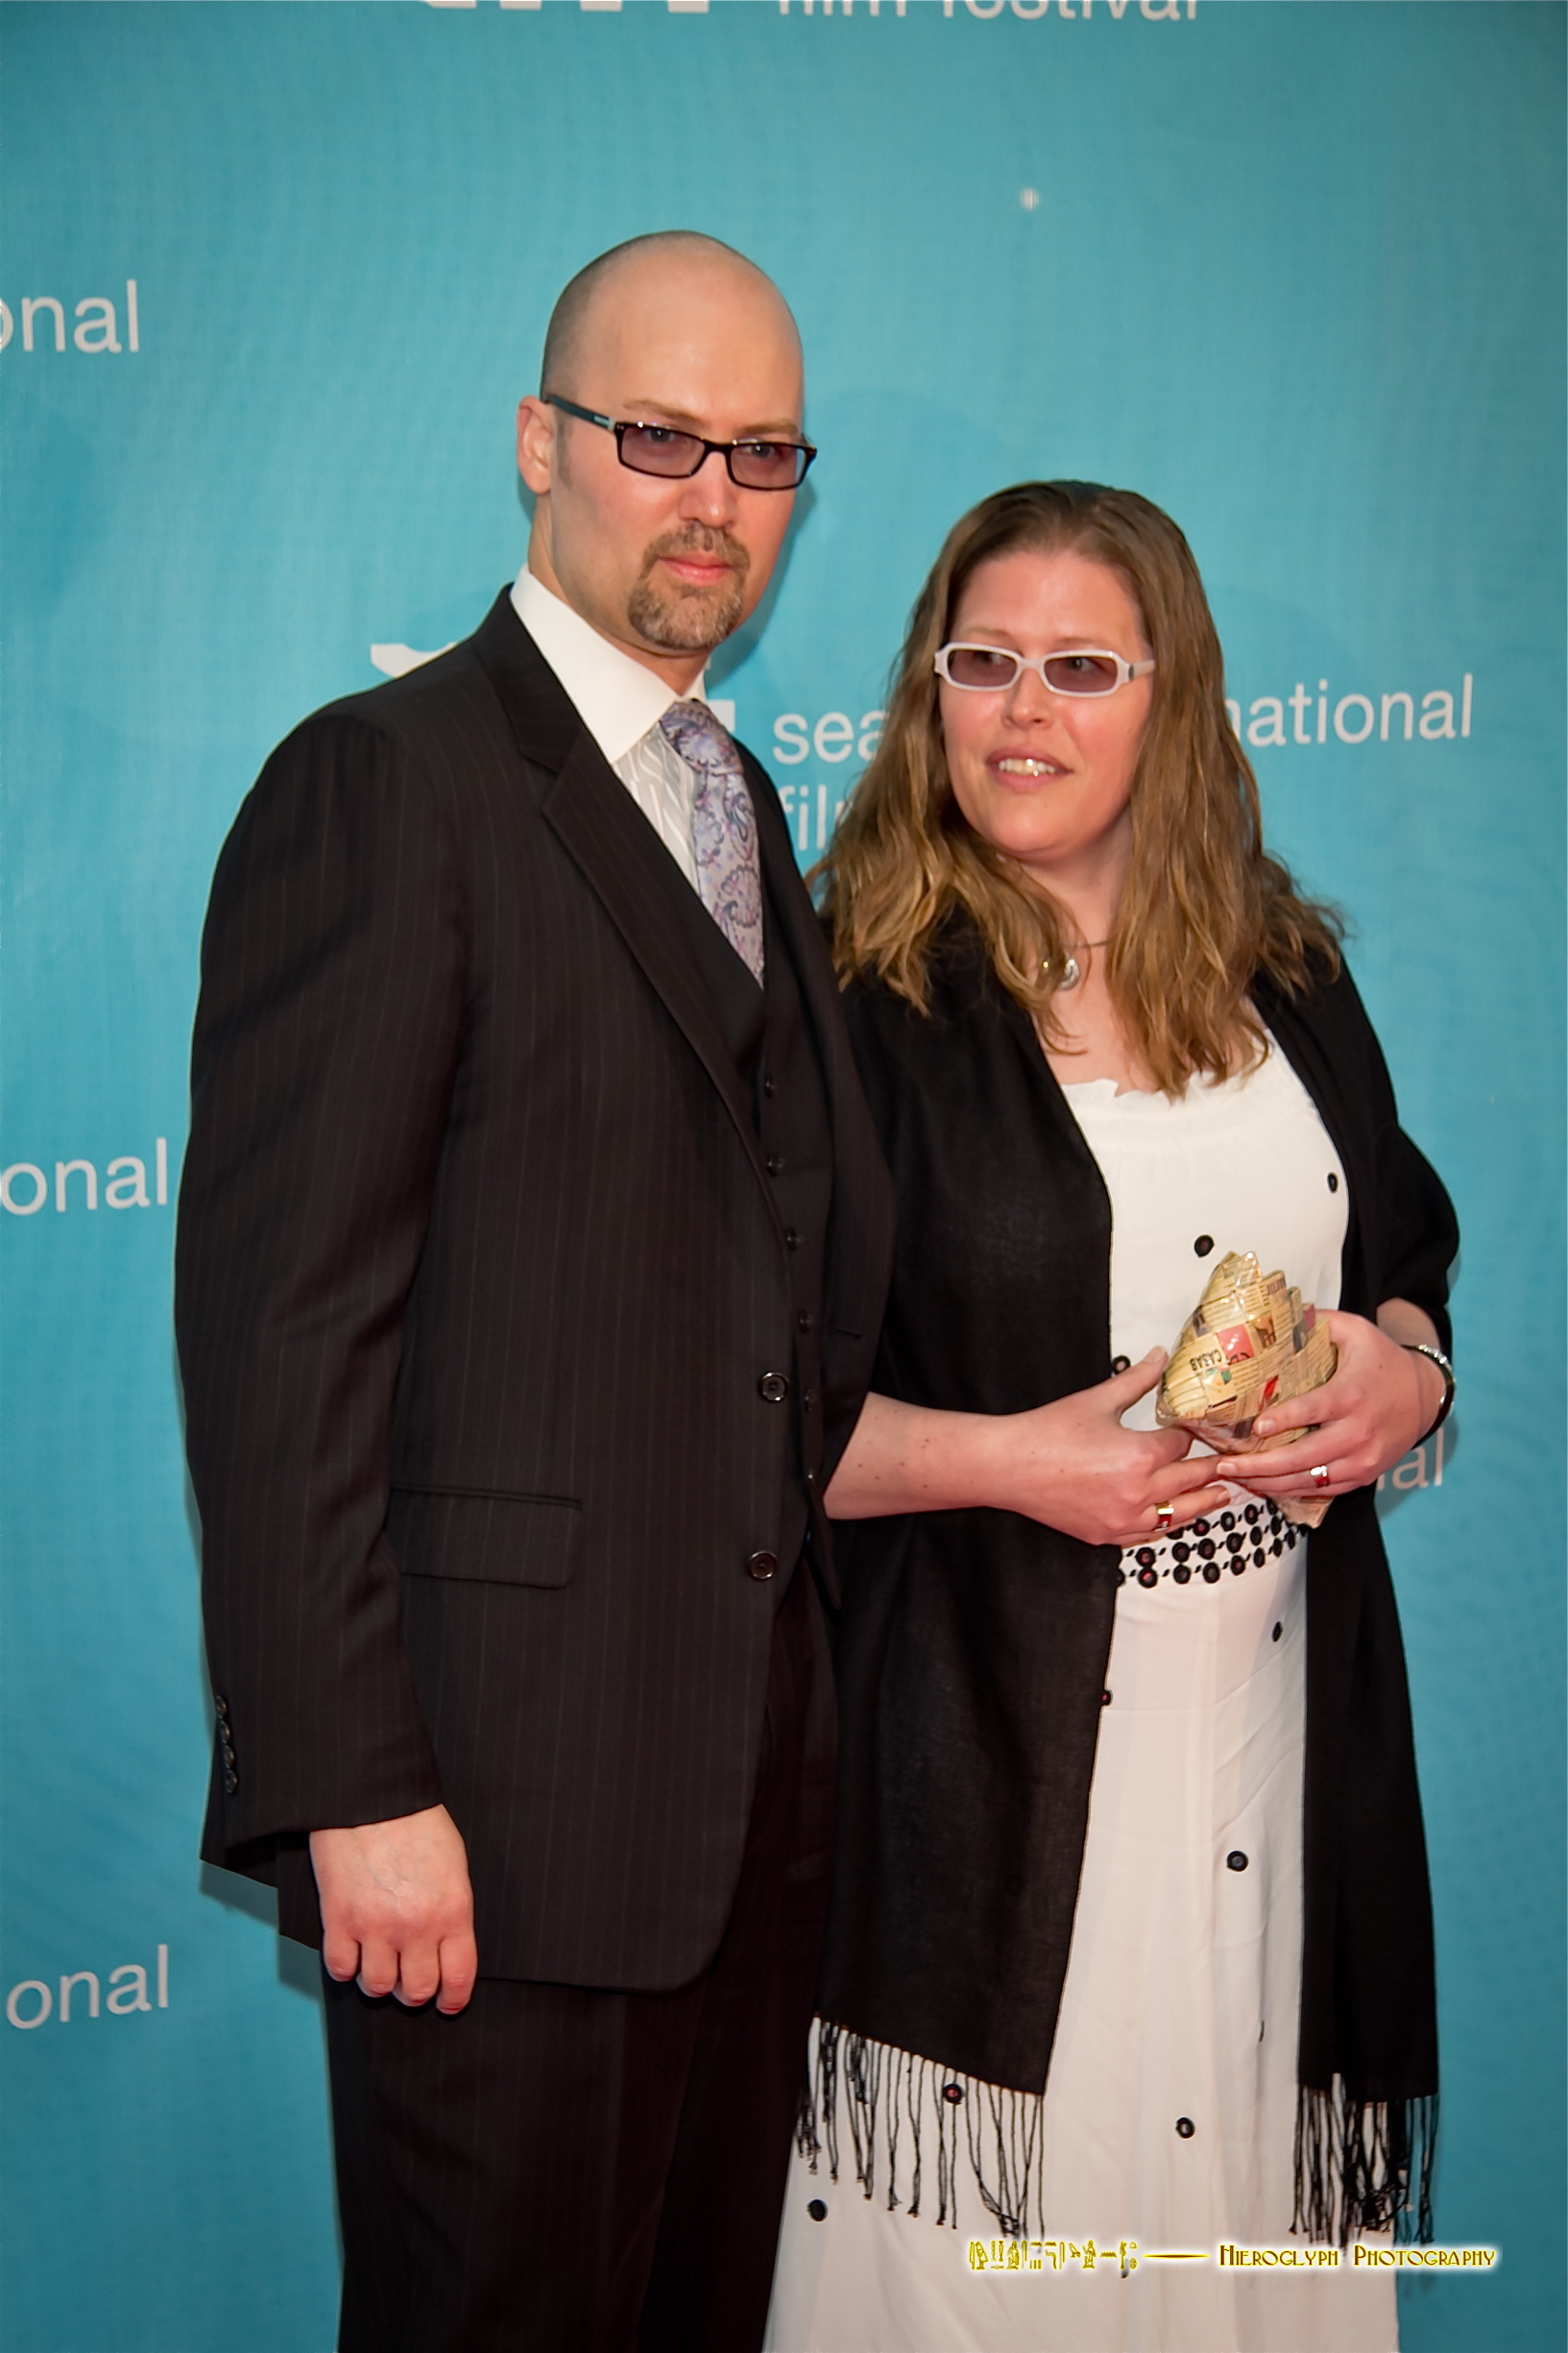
(478, 1272)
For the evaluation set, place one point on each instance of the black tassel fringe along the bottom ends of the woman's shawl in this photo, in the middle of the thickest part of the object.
(1360, 2166)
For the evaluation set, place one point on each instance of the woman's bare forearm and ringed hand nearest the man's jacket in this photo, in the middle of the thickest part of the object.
(1068, 1465)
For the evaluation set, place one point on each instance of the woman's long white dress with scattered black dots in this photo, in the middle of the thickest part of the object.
(1170, 2112)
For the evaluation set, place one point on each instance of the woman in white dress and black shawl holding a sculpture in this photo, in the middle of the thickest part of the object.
(1132, 1945)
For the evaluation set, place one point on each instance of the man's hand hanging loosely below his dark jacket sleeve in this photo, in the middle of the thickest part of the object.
(398, 1909)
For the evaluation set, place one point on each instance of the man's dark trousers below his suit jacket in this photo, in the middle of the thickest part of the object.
(568, 2171)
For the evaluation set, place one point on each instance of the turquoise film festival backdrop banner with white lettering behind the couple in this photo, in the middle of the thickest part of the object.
(274, 281)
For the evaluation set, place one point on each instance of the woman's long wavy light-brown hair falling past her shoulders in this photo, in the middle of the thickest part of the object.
(1205, 907)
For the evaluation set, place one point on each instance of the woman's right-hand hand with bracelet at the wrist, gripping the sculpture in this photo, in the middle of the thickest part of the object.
(1381, 1401)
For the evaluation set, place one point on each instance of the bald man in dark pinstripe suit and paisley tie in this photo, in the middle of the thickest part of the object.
(530, 1267)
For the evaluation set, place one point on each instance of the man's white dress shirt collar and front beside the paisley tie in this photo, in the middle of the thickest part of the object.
(622, 705)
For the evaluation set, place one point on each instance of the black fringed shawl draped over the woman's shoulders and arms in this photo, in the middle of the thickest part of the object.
(972, 1646)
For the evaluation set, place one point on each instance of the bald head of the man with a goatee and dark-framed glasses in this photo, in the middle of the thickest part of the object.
(681, 333)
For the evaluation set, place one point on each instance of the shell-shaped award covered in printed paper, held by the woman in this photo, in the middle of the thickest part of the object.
(1247, 1345)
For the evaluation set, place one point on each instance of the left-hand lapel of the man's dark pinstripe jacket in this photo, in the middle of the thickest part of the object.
(612, 844)
